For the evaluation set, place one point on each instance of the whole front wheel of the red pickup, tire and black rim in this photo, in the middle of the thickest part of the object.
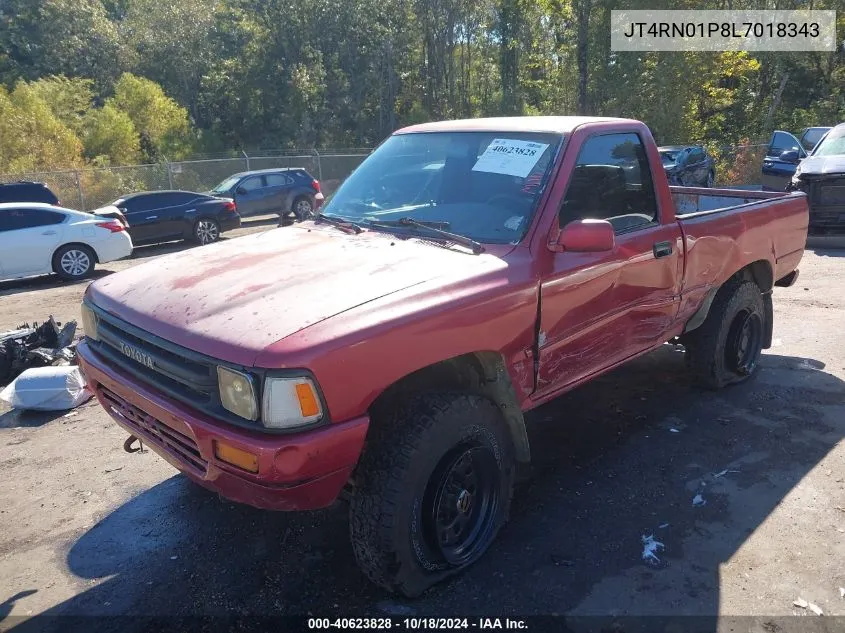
(432, 491)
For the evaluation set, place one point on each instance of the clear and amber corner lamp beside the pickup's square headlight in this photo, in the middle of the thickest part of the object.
(290, 402)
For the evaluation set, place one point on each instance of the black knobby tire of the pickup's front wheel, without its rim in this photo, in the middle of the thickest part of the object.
(402, 455)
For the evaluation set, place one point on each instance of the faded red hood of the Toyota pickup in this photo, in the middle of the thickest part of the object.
(232, 299)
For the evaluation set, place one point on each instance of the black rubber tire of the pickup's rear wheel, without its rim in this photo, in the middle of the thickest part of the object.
(707, 347)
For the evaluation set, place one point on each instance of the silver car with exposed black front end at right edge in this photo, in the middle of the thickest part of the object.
(822, 177)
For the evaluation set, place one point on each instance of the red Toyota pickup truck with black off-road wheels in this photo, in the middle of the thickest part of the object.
(465, 273)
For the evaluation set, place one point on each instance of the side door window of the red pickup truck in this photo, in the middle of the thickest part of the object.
(611, 181)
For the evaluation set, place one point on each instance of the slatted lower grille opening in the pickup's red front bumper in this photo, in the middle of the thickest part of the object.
(154, 431)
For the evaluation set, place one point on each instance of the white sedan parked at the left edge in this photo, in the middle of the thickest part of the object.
(37, 239)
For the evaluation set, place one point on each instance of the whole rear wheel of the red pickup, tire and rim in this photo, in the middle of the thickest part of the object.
(726, 348)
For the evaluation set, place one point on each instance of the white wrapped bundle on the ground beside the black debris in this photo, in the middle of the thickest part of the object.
(47, 389)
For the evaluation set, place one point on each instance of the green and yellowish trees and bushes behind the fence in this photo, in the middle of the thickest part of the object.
(224, 74)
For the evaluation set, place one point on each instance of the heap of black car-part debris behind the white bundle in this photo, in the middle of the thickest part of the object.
(36, 346)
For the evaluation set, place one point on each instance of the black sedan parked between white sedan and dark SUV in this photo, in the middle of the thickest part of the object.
(159, 216)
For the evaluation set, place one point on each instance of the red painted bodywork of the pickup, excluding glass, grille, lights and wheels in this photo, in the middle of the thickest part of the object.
(363, 311)
